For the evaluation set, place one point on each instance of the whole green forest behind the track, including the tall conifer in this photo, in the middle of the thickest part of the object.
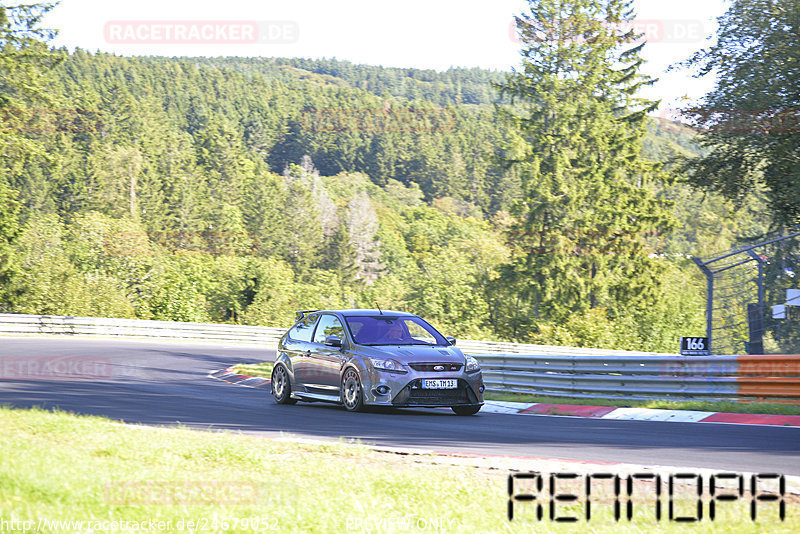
(541, 206)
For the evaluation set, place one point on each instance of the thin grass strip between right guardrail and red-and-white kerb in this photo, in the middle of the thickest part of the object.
(705, 406)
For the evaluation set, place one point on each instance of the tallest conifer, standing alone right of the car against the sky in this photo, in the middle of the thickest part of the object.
(587, 213)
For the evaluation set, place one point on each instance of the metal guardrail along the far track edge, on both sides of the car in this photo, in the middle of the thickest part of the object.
(510, 367)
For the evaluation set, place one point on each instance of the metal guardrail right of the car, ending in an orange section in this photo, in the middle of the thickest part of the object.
(609, 376)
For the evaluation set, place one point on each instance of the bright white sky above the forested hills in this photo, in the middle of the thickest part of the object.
(433, 34)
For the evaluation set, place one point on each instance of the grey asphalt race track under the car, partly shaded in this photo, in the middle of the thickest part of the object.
(166, 383)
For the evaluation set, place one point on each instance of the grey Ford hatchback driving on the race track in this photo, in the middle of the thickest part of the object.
(361, 358)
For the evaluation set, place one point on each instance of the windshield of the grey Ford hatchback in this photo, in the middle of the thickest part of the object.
(388, 330)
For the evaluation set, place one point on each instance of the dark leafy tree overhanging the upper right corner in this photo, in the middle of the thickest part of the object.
(750, 121)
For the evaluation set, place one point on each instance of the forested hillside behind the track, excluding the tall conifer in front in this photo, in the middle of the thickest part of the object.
(235, 189)
